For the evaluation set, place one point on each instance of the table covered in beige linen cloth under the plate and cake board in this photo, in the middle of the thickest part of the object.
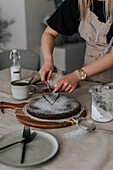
(91, 151)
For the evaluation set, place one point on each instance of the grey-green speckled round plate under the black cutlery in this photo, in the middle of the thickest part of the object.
(43, 147)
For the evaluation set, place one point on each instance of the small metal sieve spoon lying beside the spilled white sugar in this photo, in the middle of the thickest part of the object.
(88, 126)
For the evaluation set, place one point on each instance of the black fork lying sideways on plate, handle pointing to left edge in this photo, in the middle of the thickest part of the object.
(21, 141)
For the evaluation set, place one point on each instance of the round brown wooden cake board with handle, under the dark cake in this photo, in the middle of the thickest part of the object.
(23, 118)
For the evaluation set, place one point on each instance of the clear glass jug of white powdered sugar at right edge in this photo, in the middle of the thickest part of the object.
(102, 102)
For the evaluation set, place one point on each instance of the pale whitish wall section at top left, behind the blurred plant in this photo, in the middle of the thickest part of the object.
(15, 9)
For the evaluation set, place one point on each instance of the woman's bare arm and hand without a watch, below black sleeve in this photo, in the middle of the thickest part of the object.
(47, 45)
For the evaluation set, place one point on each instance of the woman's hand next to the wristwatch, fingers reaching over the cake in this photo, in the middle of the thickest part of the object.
(68, 82)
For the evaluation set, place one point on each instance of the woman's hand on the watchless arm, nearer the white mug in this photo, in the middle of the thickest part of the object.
(46, 70)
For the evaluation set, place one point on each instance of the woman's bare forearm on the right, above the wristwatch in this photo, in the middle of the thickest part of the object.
(101, 64)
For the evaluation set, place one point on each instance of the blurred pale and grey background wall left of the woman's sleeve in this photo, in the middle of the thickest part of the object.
(28, 15)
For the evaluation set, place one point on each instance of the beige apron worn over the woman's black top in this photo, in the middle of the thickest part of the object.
(94, 33)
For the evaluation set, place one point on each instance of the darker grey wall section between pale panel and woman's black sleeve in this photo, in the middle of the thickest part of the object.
(36, 10)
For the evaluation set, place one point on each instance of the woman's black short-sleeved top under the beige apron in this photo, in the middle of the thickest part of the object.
(65, 20)
